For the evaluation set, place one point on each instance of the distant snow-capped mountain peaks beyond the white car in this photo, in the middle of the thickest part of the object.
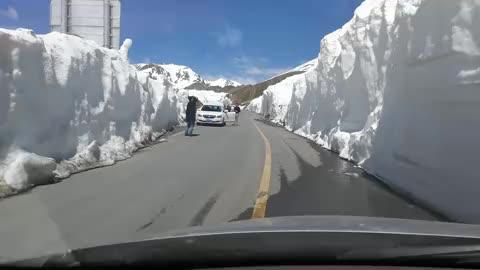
(184, 77)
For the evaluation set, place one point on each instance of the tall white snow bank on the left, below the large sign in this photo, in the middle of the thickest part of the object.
(67, 105)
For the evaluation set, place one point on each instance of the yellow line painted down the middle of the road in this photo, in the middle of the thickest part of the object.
(262, 195)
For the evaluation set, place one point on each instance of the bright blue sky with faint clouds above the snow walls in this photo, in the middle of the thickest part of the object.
(247, 40)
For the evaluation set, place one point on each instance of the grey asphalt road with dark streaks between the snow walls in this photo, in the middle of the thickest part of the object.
(188, 181)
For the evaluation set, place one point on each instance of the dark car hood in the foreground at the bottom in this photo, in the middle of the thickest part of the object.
(314, 239)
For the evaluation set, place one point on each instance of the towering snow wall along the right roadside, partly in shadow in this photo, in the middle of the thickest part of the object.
(397, 90)
